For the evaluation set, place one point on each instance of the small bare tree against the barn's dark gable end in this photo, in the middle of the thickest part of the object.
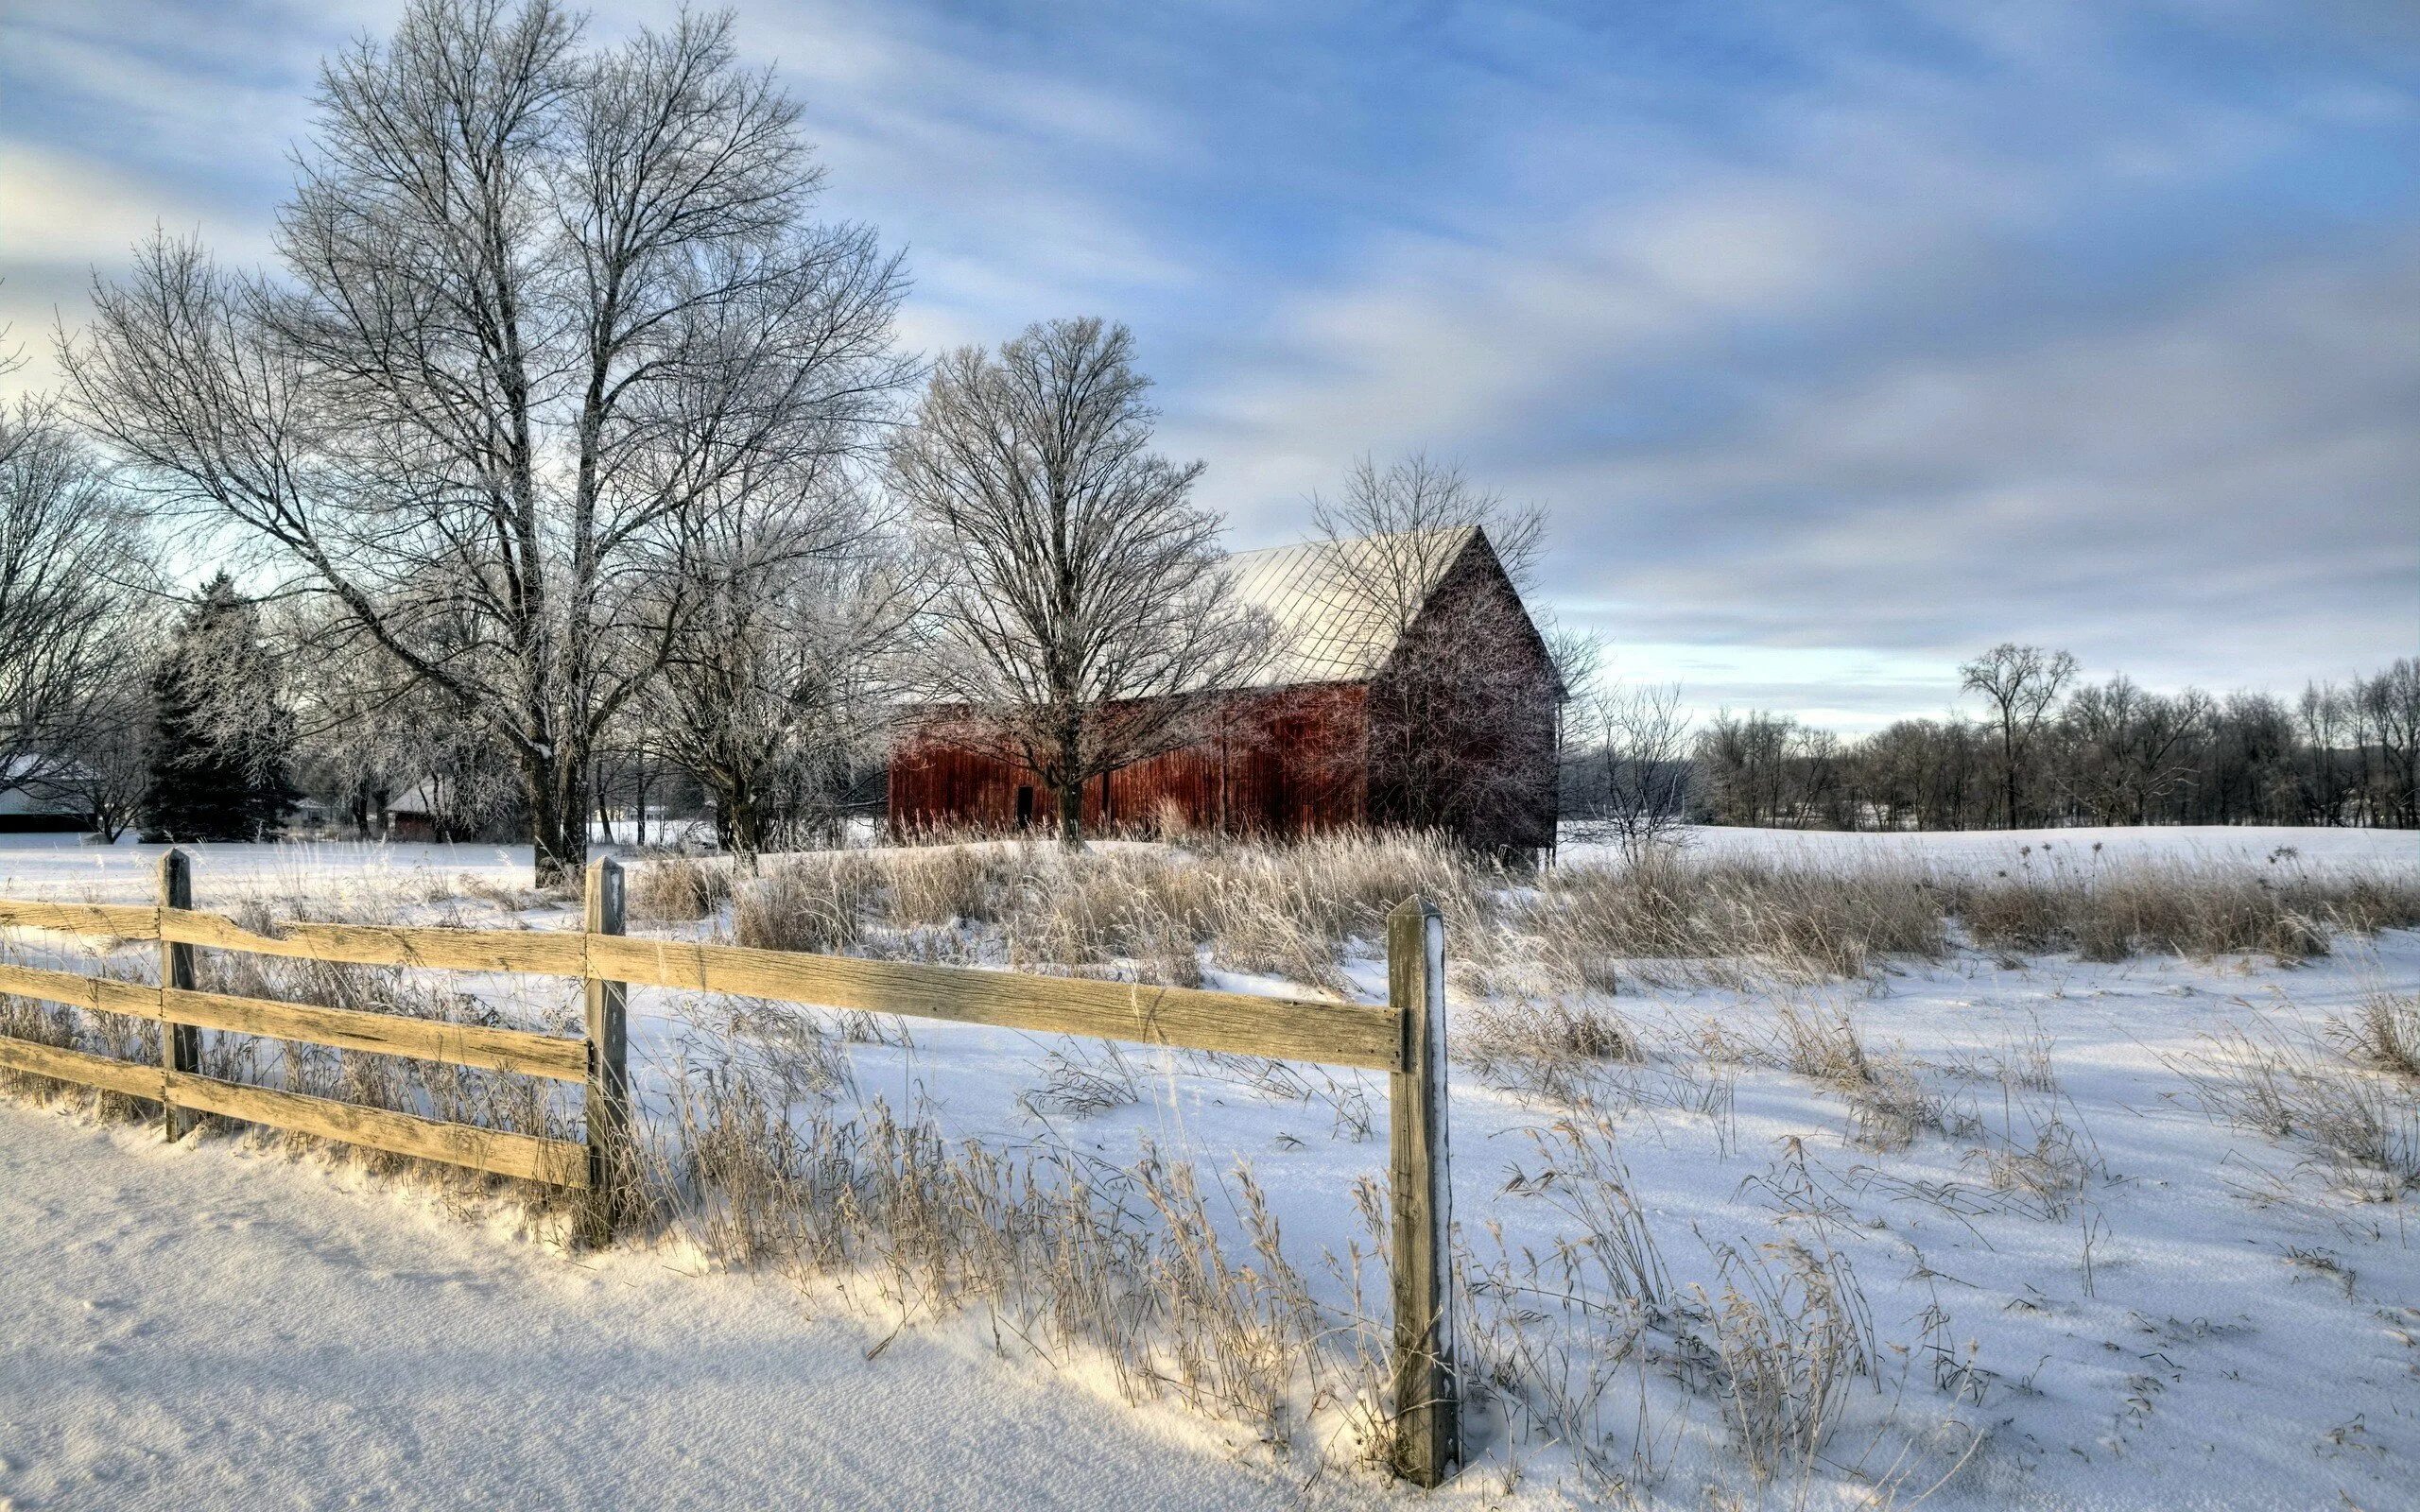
(1463, 732)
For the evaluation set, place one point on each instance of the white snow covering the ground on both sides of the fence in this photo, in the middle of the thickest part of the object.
(2070, 1281)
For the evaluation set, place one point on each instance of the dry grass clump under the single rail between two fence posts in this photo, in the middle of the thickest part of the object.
(1078, 1259)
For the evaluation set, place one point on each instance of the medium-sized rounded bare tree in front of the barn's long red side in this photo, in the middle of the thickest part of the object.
(1078, 599)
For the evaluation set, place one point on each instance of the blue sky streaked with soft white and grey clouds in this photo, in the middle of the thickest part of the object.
(1838, 340)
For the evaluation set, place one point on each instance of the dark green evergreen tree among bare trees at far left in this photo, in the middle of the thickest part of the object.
(221, 744)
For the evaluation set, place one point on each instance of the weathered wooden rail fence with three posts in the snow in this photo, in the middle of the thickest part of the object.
(1402, 1039)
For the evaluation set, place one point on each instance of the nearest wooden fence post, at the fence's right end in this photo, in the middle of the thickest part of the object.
(1427, 1395)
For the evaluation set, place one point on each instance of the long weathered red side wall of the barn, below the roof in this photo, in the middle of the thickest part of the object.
(1269, 763)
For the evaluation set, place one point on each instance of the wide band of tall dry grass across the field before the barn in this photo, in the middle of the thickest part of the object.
(1306, 911)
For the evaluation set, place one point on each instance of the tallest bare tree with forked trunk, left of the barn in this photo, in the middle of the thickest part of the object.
(538, 306)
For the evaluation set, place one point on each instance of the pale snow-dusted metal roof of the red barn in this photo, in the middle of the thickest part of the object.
(1330, 628)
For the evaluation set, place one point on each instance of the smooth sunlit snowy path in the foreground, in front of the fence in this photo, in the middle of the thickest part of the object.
(219, 1329)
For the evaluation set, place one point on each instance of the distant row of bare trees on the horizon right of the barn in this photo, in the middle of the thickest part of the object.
(2044, 746)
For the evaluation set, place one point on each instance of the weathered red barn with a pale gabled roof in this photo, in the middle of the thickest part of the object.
(1410, 688)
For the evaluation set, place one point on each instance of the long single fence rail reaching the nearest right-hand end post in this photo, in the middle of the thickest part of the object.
(1277, 1027)
